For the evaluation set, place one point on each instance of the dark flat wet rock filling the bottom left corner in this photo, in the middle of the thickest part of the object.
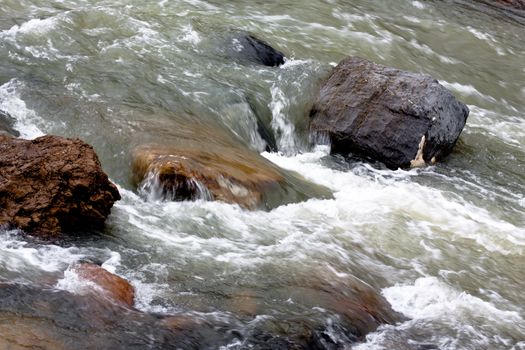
(34, 317)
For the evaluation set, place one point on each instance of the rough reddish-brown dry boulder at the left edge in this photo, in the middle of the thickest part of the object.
(53, 184)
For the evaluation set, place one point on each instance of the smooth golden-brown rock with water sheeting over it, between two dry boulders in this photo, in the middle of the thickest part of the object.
(202, 163)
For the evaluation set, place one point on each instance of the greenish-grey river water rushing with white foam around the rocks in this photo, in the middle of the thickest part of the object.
(445, 245)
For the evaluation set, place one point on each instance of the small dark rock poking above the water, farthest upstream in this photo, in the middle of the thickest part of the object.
(248, 47)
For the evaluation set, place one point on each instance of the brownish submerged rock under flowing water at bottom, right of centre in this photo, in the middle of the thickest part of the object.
(321, 313)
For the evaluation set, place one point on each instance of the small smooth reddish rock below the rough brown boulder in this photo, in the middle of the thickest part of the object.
(114, 287)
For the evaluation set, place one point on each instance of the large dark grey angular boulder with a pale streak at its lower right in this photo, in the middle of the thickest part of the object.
(399, 118)
